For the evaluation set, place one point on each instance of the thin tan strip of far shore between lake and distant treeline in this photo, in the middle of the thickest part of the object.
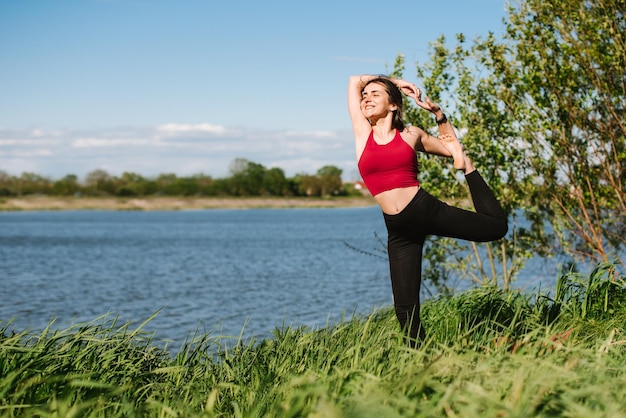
(43, 203)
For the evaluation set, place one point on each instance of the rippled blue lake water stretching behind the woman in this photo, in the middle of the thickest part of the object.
(227, 272)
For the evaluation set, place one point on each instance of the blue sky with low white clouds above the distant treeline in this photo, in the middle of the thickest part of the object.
(186, 86)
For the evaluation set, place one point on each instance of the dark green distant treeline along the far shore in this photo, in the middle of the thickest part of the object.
(246, 179)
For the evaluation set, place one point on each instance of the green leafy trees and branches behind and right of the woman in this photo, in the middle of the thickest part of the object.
(541, 113)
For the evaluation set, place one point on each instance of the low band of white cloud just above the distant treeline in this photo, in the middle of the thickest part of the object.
(183, 149)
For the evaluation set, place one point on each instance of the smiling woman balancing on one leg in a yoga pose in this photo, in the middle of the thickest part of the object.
(386, 156)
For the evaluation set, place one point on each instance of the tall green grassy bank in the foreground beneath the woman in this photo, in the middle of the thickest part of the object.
(489, 354)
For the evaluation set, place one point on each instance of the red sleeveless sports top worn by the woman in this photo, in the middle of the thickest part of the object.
(389, 166)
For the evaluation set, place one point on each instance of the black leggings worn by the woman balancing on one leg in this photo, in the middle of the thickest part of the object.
(426, 215)
